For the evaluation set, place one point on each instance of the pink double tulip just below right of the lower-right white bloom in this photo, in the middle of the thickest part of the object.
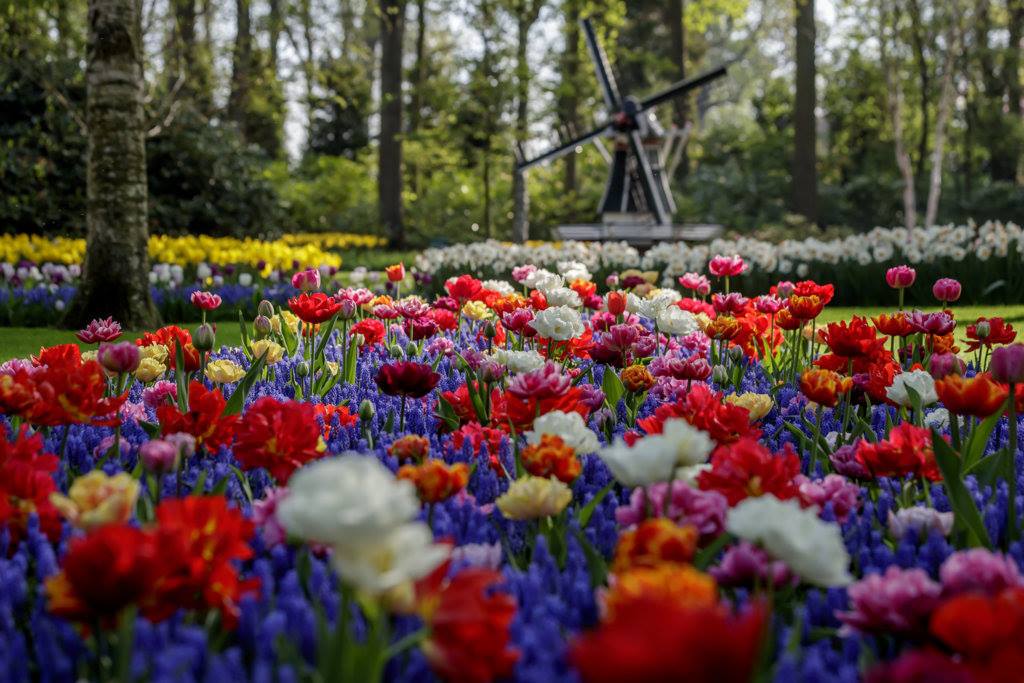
(899, 603)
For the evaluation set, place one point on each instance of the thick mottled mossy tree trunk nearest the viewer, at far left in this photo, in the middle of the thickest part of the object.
(116, 278)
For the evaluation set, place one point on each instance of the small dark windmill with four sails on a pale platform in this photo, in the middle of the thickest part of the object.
(637, 204)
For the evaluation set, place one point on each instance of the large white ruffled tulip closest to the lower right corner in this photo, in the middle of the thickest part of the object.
(809, 546)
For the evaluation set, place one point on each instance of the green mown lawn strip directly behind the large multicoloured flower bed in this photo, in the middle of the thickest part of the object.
(22, 343)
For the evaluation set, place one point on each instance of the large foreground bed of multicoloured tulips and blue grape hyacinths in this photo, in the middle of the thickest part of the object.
(533, 482)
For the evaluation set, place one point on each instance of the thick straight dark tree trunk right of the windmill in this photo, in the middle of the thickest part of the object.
(805, 178)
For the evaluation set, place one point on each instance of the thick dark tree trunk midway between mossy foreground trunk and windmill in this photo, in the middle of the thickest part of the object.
(390, 174)
